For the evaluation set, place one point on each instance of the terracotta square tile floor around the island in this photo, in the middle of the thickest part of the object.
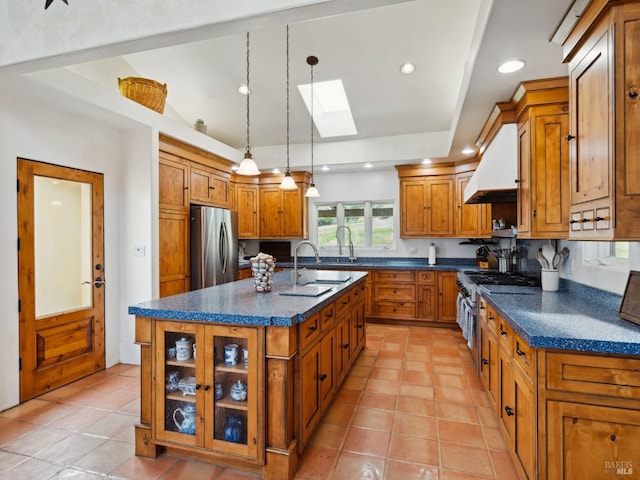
(412, 407)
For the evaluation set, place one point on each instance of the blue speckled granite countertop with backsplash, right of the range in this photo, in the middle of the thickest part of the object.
(576, 317)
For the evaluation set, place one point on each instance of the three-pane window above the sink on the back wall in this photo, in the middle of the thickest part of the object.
(372, 224)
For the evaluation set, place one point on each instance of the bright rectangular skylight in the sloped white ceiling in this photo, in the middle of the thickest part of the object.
(331, 112)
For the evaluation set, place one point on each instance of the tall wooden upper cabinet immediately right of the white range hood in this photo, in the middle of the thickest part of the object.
(542, 112)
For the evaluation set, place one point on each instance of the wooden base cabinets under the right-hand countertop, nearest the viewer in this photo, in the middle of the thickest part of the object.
(564, 415)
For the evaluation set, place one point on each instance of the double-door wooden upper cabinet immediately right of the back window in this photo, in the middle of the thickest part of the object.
(426, 206)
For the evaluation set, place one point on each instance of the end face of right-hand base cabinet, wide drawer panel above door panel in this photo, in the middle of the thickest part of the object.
(590, 416)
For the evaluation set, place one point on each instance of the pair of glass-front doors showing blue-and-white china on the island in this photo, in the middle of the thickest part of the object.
(211, 393)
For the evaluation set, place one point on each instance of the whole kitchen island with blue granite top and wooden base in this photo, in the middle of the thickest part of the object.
(241, 378)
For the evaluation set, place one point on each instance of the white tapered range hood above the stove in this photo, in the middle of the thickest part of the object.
(495, 178)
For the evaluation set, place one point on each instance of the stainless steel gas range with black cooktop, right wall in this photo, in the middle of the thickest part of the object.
(467, 302)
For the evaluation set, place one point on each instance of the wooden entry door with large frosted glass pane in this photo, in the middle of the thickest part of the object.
(61, 275)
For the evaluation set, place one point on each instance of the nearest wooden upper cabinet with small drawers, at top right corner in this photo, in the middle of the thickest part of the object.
(603, 52)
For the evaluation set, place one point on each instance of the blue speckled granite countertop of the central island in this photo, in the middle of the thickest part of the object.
(238, 303)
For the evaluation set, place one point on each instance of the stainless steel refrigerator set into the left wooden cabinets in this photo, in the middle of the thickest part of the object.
(214, 246)
